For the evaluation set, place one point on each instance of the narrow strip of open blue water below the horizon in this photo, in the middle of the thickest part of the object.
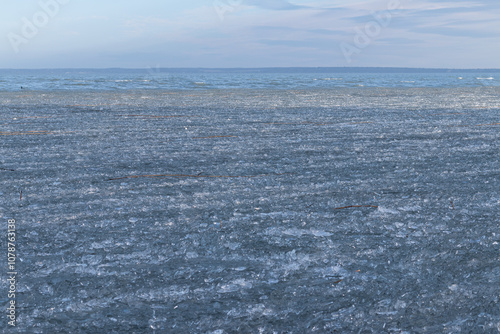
(278, 78)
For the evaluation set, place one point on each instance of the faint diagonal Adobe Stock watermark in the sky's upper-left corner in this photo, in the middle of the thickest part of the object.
(30, 28)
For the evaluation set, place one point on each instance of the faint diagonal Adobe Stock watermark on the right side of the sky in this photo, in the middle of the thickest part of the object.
(371, 30)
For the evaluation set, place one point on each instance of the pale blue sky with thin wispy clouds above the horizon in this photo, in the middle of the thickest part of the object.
(249, 33)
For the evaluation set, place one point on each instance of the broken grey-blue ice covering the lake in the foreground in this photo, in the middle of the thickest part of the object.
(233, 211)
